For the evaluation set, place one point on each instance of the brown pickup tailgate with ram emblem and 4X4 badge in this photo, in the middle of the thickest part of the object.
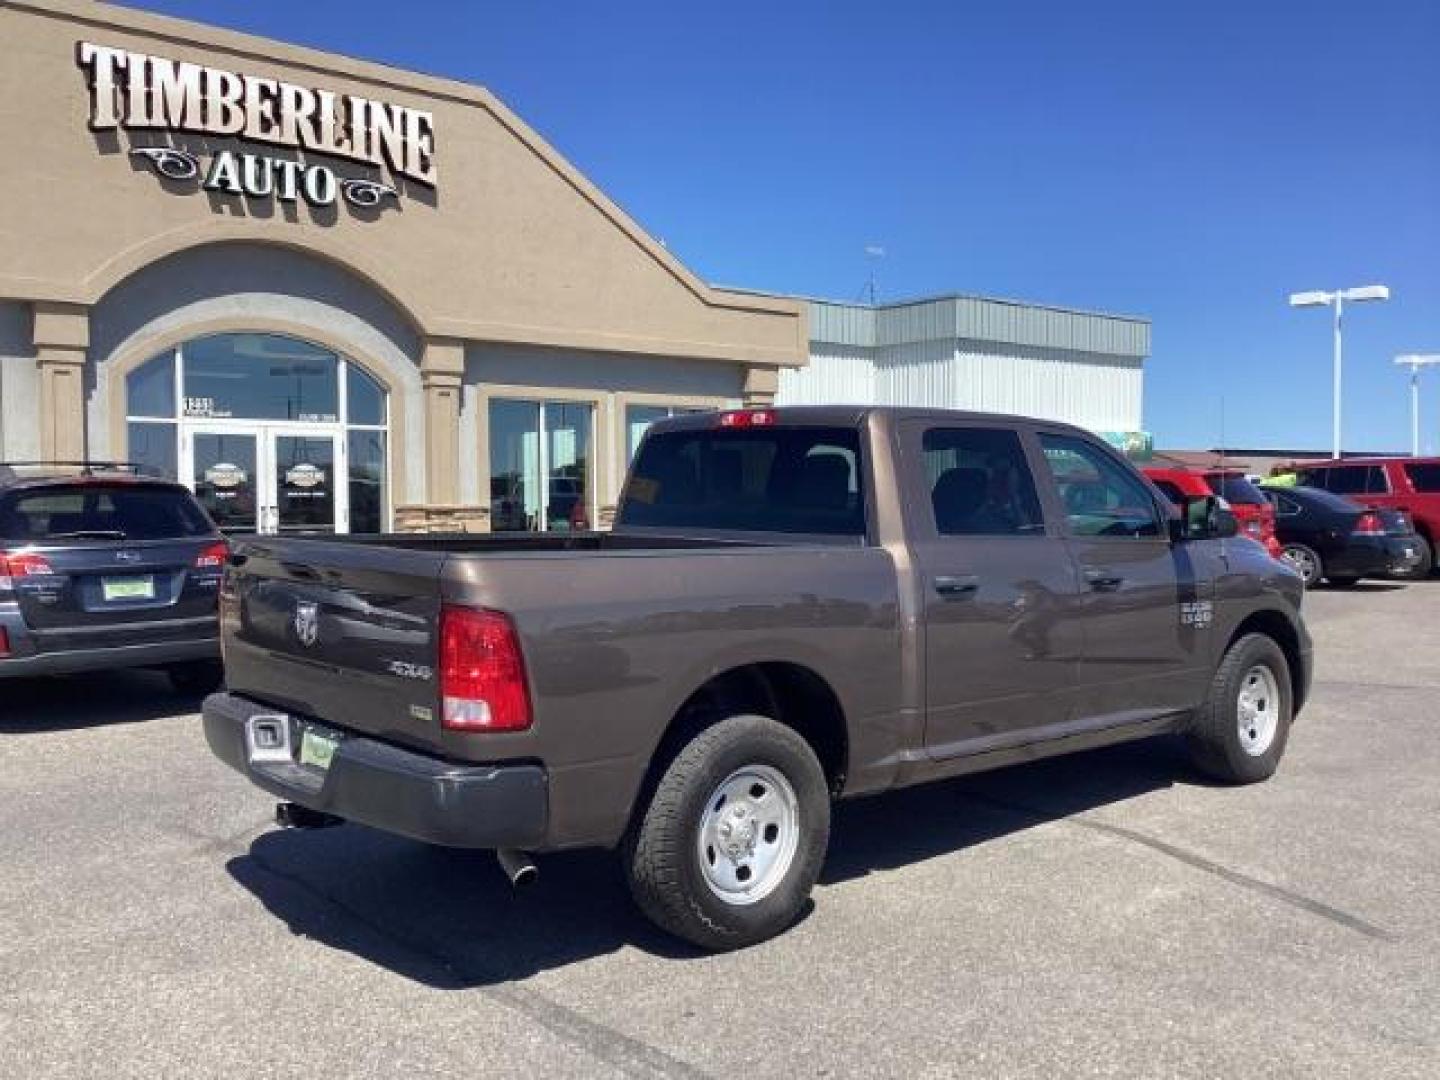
(343, 633)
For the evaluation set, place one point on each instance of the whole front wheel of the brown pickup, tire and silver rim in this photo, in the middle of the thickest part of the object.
(1242, 729)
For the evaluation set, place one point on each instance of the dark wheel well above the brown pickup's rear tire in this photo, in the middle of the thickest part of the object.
(790, 693)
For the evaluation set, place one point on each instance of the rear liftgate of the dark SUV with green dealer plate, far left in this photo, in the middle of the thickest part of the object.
(109, 554)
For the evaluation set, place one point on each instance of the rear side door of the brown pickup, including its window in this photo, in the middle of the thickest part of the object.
(999, 590)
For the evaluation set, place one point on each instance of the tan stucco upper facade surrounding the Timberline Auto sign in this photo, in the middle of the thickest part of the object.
(512, 246)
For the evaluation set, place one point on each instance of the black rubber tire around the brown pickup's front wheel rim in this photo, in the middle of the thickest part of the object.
(1216, 742)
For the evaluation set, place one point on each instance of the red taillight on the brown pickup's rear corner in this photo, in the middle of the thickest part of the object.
(483, 675)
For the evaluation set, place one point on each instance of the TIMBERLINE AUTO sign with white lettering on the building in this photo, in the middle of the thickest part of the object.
(142, 93)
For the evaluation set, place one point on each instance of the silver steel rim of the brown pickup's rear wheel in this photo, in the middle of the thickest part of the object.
(750, 834)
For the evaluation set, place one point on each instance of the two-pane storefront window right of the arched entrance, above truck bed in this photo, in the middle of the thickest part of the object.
(541, 466)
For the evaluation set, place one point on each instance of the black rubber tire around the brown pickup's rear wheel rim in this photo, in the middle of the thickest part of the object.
(662, 853)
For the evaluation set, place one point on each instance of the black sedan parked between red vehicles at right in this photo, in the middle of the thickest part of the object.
(1328, 538)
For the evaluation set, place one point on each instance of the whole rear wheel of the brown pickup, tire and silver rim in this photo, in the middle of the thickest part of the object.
(734, 839)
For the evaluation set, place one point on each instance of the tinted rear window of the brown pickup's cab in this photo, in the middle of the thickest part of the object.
(760, 480)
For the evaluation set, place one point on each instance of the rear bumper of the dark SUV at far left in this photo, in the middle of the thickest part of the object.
(32, 654)
